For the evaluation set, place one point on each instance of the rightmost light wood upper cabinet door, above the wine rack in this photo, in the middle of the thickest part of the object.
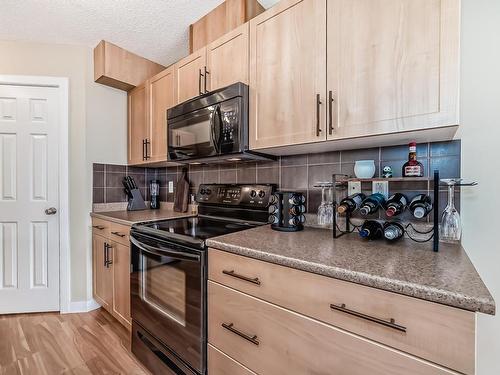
(392, 65)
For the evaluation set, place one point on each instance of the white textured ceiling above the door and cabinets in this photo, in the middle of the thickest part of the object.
(155, 29)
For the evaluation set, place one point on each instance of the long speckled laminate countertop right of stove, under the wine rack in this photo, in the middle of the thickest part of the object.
(447, 277)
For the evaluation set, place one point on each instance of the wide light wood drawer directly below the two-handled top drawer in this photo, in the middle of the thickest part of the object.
(271, 340)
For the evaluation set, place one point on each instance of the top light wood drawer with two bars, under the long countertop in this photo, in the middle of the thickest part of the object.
(435, 332)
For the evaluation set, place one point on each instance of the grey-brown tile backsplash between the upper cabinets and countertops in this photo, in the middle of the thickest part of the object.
(297, 172)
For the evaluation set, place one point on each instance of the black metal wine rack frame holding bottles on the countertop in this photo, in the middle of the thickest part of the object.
(341, 184)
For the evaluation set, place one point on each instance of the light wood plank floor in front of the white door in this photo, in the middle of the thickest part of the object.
(80, 344)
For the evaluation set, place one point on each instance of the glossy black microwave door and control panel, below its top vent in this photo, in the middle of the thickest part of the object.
(206, 132)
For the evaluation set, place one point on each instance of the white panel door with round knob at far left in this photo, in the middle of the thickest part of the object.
(29, 236)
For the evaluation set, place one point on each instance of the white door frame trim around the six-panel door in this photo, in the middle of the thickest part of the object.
(62, 84)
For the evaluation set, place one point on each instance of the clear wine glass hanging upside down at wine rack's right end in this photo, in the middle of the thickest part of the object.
(451, 225)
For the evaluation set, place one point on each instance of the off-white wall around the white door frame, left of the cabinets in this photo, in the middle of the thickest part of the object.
(97, 132)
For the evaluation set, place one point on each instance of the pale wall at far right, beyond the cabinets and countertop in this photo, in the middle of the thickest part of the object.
(480, 119)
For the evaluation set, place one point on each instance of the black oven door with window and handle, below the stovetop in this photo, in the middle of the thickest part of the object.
(167, 297)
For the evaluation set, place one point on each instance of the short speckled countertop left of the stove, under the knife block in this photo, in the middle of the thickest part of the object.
(132, 217)
